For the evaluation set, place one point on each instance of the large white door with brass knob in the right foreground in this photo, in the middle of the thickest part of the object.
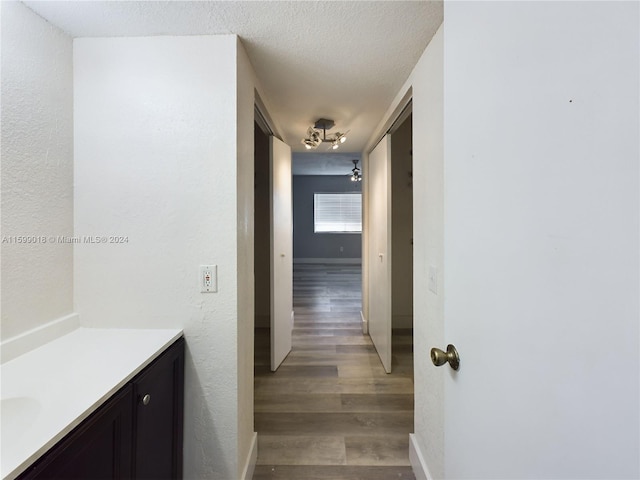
(541, 240)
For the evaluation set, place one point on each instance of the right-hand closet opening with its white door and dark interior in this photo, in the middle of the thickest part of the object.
(389, 267)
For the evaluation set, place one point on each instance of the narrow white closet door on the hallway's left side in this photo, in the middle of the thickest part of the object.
(281, 252)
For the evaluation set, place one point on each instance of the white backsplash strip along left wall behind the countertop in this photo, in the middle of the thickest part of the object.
(25, 342)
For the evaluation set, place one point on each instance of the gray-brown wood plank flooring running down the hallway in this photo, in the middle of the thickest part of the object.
(330, 411)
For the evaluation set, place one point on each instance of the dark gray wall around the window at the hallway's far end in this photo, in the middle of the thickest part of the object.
(310, 246)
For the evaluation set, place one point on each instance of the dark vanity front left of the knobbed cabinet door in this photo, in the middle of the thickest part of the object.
(100, 448)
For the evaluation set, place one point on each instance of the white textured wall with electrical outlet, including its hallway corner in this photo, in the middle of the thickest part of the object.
(160, 160)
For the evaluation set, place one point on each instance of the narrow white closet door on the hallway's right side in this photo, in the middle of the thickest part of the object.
(379, 188)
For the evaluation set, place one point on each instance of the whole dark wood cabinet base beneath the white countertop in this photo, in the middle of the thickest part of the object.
(136, 434)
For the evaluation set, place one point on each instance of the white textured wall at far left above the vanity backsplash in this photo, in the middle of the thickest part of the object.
(37, 170)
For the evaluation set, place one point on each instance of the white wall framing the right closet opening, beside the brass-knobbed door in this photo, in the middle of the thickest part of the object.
(425, 85)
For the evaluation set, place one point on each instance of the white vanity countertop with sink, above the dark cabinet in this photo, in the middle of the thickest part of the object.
(47, 392)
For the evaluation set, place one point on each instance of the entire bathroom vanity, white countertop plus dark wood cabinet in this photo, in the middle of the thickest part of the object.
(96, 403)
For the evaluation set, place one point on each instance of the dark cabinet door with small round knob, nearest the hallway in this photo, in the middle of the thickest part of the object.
(158, 392)
